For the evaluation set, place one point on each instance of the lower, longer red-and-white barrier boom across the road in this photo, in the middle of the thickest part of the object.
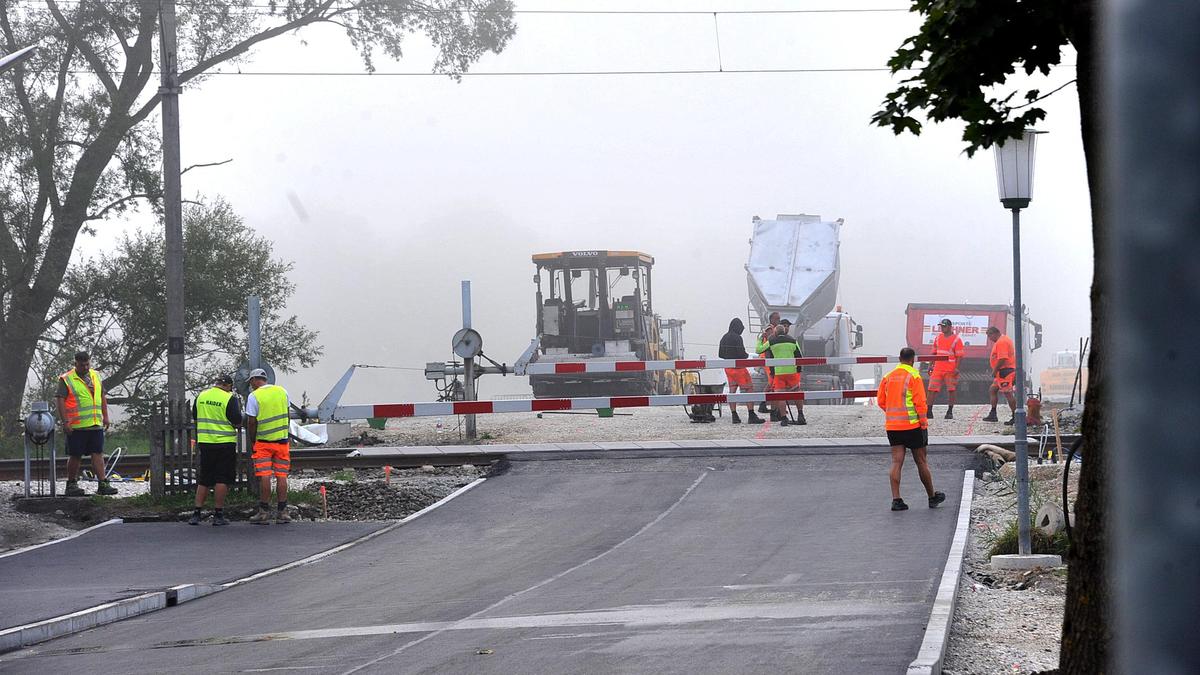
(589, 403)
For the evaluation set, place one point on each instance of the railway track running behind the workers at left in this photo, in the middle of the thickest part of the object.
(320, 459)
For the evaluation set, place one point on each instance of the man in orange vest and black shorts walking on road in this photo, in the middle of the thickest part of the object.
(903, 398)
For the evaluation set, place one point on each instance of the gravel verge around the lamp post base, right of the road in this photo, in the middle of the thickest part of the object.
(1007, 622)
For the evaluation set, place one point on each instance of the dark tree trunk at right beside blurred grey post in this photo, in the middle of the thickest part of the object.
(1085, 629)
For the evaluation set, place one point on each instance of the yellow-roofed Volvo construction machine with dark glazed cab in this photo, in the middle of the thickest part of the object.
(598, 306)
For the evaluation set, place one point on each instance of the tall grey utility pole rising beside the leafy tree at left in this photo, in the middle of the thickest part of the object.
(173, 210)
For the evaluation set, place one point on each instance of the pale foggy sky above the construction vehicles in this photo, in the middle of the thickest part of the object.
(407, 186)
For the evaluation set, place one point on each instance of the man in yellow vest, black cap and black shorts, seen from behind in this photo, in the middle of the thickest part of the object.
(218, 417)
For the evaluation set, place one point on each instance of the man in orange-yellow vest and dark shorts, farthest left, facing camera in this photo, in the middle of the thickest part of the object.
(83, 411)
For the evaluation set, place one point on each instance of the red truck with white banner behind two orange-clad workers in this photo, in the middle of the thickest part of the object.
(971, 324)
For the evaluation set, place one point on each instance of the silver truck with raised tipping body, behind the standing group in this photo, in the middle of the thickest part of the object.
(795, 268)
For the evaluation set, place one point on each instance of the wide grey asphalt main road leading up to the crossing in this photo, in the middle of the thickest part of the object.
(653, 565)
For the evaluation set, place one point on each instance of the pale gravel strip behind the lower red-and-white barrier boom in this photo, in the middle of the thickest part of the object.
(657, 425)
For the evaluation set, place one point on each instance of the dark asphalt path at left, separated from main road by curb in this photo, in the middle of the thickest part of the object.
(125, 560)
